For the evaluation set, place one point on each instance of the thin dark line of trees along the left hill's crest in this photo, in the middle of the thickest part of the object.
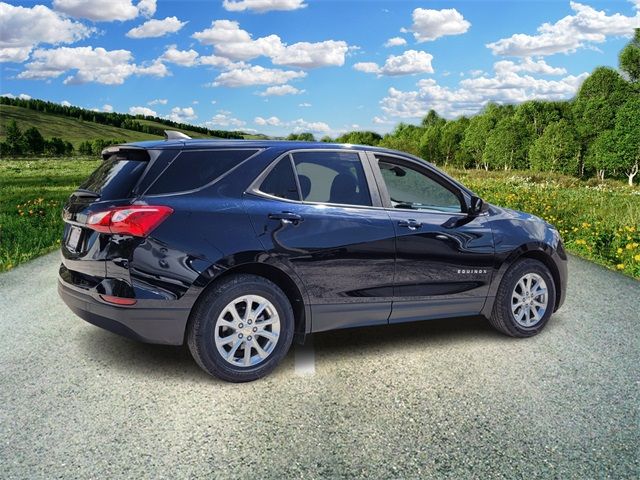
(120, 120)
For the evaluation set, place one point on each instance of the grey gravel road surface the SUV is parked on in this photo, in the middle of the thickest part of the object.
(440, 399)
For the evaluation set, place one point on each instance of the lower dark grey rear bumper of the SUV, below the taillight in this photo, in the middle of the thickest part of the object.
(150, 321)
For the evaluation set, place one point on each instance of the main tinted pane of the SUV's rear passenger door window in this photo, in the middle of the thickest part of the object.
(332, 177)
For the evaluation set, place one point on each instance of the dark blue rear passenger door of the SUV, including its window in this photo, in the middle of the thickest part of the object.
(314, 211)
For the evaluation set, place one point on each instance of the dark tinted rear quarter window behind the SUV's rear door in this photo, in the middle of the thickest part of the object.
(194, 169)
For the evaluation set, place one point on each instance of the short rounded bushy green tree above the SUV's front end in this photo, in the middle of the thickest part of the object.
(557, 150)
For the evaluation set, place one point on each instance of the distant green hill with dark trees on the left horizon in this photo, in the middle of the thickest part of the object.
(76, 124)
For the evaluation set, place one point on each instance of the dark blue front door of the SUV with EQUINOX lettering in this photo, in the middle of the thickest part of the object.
(445, 256)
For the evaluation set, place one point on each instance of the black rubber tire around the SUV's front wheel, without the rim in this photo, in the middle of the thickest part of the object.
(502, 318)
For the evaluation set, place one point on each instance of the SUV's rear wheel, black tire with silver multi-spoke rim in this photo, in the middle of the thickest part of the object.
(241, 328)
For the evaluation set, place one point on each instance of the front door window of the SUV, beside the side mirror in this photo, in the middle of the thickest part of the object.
(411, 189)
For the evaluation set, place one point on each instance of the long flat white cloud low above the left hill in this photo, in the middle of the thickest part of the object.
(89, 64)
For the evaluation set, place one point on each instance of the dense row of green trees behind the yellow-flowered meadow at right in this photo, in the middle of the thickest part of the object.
(595, 133)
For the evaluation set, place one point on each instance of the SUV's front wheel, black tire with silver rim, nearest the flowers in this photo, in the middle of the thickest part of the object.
(525, 299)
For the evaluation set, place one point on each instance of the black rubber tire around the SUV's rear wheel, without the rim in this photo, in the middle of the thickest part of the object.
(204, 315)
